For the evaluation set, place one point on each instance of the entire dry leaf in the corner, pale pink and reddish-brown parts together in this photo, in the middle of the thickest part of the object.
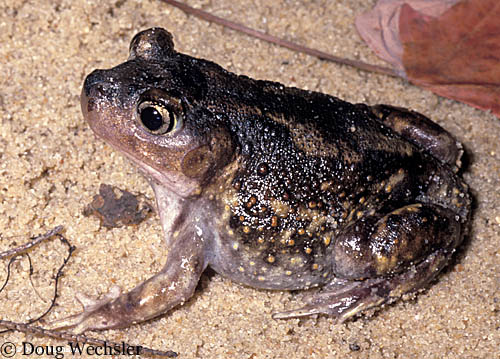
(450, 47)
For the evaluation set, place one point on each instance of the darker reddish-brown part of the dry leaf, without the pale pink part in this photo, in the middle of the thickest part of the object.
(457, 54)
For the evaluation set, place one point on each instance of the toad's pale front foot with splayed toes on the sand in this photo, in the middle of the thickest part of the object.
(97, 314)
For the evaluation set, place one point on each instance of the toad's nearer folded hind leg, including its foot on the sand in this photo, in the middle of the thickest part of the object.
(377, 260)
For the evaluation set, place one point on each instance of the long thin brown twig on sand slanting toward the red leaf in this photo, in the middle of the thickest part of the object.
(282, 42)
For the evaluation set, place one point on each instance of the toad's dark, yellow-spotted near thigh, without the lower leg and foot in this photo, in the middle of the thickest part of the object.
(377, 246)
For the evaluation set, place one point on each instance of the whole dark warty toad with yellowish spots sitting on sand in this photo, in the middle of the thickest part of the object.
(275, 187)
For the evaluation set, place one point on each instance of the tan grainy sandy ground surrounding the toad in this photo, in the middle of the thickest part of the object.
(51, 165)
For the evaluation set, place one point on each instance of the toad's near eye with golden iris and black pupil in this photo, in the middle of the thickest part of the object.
(157, 118)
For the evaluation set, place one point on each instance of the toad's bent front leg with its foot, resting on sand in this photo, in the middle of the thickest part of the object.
(167, 289)
